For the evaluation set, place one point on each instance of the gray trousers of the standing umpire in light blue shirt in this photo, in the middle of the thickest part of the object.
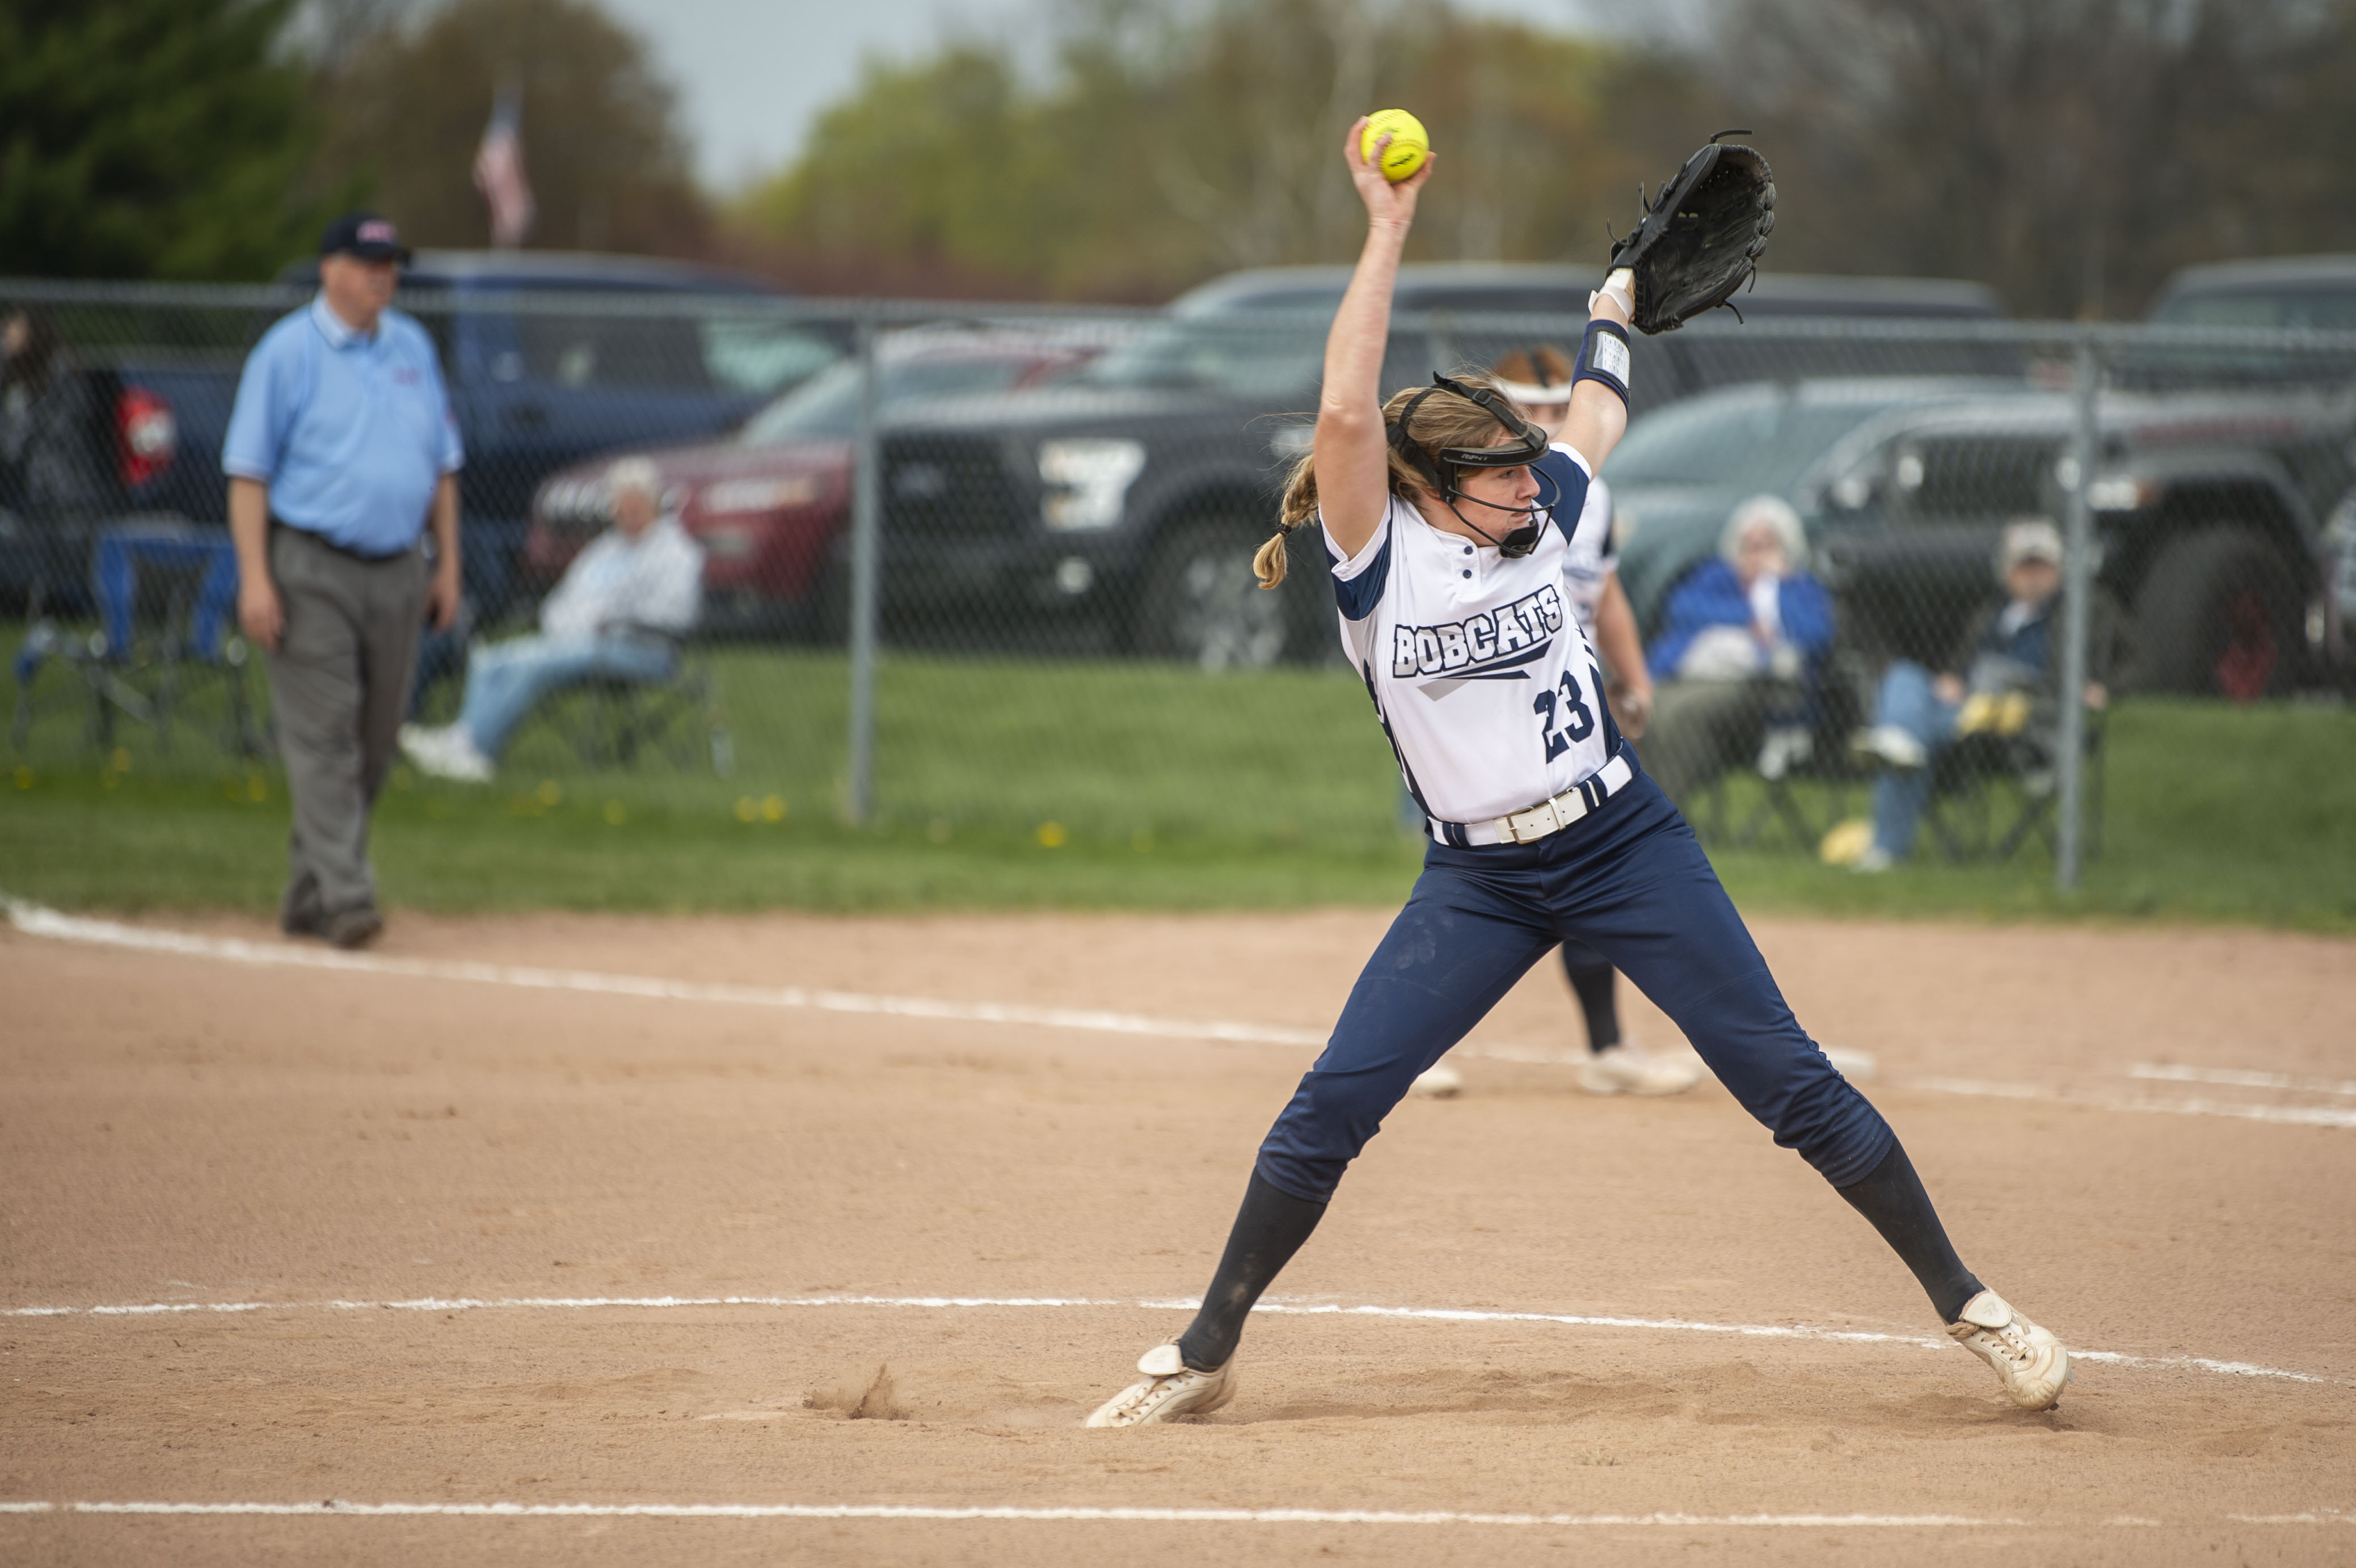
(340, 686)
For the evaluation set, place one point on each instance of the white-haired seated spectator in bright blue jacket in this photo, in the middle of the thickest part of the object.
(1738, 658)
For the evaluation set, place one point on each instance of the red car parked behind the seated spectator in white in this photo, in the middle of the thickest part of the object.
(769, 503)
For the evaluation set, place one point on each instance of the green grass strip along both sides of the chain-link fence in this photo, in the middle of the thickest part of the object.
(1099, 785)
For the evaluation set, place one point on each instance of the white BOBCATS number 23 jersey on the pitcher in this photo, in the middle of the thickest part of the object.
(1476, 663)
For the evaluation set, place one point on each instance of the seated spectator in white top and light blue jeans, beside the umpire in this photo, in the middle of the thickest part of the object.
(611, 618)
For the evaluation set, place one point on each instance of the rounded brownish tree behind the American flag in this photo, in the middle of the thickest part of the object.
(602, 142)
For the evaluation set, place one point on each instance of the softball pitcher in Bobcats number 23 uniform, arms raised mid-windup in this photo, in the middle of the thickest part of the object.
(1542, 823)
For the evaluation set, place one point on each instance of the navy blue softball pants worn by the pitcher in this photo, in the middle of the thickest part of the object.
(1632, 884)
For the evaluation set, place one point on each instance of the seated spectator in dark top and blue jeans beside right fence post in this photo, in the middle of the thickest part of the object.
(2001, 679)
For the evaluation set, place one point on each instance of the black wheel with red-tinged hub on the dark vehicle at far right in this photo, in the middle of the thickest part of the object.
(2218, 618)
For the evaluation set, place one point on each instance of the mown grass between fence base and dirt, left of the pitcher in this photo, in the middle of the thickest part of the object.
(84, 844)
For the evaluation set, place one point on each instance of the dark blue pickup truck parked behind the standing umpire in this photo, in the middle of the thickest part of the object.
(550, 357)
